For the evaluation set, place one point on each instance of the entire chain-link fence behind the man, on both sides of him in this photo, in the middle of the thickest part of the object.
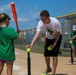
(66, 24)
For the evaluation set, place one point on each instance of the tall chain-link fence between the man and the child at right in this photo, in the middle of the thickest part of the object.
(66, 24)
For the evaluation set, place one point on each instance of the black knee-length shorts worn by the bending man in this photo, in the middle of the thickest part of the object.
(55, 51)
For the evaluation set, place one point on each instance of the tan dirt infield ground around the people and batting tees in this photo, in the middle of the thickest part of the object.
(38, 64)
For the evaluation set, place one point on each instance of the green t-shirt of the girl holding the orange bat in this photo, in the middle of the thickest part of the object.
(7, 36)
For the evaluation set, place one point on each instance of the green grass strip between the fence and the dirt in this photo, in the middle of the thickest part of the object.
(39, 48)
